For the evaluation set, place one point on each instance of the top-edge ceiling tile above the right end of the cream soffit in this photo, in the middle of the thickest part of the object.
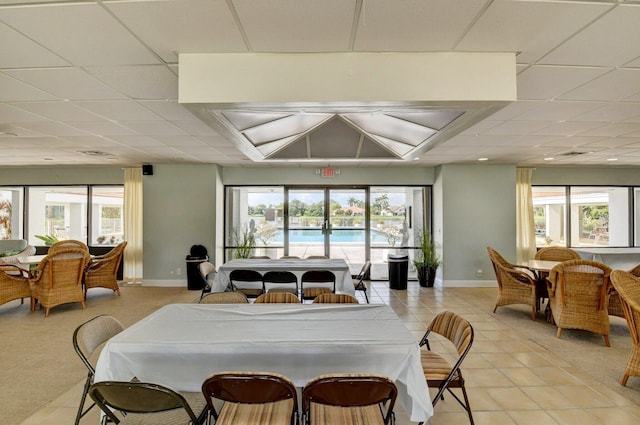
(532, 27)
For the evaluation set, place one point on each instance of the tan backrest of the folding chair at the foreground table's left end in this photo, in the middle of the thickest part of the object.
(92, 334)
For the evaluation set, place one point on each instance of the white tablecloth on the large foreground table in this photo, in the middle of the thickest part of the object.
(181, 344)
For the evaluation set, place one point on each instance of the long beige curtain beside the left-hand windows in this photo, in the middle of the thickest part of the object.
(133, 225)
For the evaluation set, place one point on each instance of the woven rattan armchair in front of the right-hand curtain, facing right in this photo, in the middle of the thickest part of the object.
(515, 285)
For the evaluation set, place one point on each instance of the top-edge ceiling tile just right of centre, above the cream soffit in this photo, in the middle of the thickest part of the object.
(414, 25)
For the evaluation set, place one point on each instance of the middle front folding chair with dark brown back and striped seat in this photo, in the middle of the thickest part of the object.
(256, 398)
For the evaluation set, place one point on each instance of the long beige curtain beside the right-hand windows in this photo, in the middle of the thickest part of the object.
(525, 228)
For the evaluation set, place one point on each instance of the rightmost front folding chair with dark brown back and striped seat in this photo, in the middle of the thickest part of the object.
(349, 399)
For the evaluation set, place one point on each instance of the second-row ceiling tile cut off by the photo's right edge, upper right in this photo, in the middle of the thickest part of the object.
(614, 86)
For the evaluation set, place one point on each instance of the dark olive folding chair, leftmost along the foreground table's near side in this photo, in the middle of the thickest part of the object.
(146, 403)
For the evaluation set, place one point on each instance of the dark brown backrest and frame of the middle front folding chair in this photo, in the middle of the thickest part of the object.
(251, 388)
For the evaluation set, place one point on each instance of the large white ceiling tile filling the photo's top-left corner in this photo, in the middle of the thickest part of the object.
(82, 33)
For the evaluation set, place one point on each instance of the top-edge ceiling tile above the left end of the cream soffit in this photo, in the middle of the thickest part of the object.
(171, 27)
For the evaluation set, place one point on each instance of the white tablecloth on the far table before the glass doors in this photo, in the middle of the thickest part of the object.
(344, 282)
